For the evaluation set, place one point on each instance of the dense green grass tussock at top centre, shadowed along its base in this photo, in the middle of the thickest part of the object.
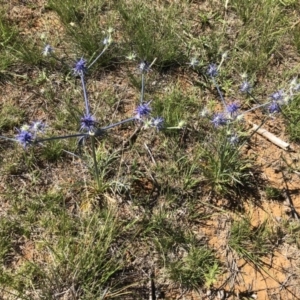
(153, 32)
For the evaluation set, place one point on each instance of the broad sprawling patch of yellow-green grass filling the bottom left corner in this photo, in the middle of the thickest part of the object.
(83, 255)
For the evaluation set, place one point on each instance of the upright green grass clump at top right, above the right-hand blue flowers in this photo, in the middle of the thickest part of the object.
(265, 26)
